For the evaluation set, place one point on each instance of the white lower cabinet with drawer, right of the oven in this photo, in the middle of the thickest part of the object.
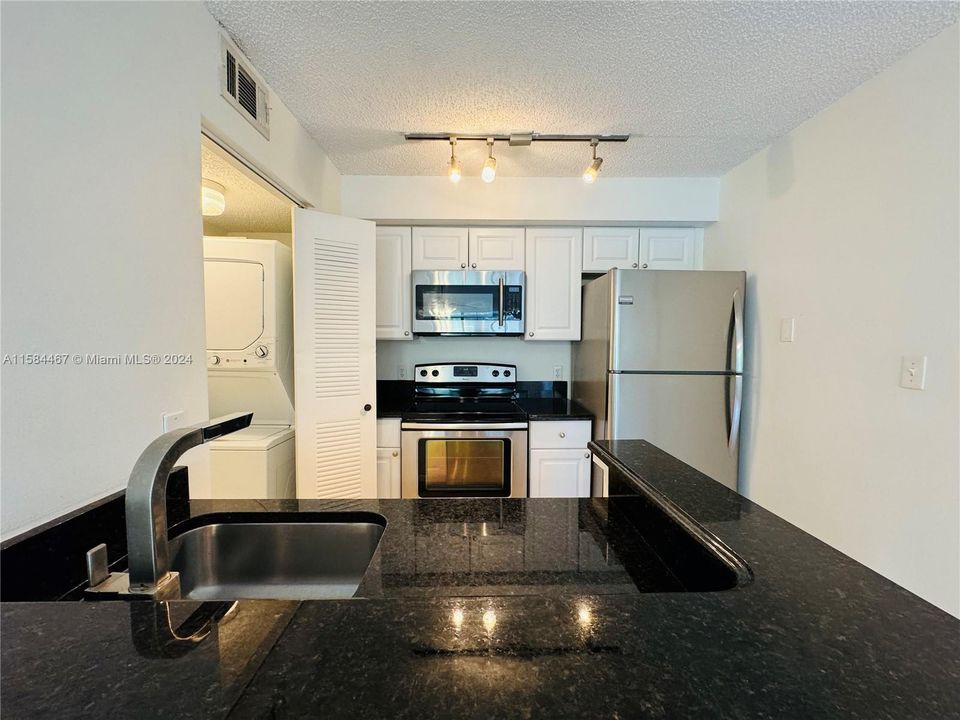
(559, 460)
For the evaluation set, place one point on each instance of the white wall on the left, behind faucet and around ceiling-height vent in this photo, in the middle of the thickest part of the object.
(102, 109)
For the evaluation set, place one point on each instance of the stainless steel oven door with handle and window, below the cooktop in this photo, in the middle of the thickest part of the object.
(463, 460)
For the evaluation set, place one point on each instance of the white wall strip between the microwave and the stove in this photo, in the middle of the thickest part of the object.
(534, 360)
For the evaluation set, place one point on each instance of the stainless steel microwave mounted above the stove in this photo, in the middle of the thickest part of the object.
(468, 302)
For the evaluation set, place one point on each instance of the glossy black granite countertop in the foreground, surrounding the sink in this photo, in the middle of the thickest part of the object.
(513, 609)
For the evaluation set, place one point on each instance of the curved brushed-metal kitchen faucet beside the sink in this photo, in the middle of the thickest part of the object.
(146, 505)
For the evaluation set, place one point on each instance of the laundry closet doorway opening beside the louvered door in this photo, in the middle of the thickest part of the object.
(248, 299)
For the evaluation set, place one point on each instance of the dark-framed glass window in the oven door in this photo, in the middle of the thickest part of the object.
(458, 467)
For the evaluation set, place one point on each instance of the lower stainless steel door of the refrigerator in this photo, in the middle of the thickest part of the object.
(695, 418)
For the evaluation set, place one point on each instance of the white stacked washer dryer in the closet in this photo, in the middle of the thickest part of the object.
(249, 311)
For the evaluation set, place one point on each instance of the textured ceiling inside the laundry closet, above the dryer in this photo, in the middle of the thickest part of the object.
(250, 206)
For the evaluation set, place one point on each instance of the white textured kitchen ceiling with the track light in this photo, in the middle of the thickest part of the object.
(704, 84)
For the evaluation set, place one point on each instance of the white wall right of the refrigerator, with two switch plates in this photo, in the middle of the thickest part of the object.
(850, 224)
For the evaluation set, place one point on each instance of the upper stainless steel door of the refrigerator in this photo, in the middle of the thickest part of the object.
(669, 321)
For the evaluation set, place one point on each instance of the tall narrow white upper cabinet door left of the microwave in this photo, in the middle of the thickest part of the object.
(393, 283)
